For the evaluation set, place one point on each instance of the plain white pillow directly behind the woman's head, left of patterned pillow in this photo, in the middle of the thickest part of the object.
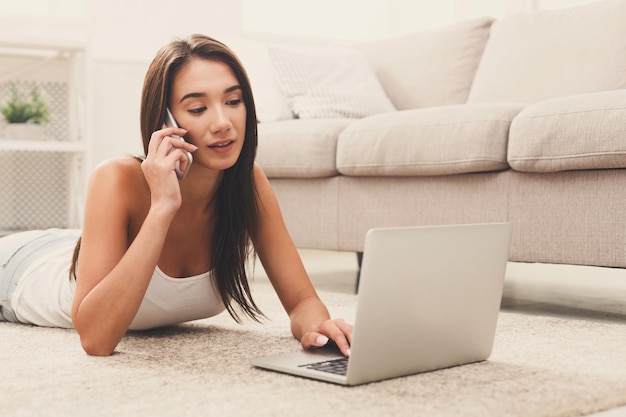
(270, 103)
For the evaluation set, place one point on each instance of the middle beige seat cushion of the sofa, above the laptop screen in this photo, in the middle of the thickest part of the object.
(436, 141)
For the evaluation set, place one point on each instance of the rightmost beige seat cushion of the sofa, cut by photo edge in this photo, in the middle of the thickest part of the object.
(570, 133)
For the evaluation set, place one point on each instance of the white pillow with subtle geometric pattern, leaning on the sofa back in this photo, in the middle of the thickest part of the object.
(327, 82)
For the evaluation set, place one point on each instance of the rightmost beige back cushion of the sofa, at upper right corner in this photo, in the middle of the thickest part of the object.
(553, 53)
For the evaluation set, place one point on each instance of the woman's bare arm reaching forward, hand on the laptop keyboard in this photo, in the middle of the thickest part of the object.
(310, 320)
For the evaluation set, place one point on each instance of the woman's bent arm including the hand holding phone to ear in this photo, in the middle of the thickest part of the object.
(113, 273)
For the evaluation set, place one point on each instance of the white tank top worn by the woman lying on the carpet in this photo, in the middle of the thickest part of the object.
(44, 295)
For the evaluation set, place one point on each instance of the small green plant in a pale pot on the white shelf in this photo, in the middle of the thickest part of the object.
(25, 114)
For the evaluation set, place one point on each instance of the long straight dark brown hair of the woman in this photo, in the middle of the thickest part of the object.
(237, 224)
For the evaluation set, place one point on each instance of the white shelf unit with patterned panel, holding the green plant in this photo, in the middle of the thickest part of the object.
(42, 182)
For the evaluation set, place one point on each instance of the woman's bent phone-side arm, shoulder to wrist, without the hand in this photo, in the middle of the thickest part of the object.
(112, 277)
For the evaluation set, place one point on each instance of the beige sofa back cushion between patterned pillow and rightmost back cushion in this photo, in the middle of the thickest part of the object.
(430, 68)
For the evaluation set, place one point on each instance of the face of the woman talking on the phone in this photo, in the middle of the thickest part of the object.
(207, 101)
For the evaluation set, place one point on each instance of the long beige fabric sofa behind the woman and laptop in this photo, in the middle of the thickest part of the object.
(521, 119)
